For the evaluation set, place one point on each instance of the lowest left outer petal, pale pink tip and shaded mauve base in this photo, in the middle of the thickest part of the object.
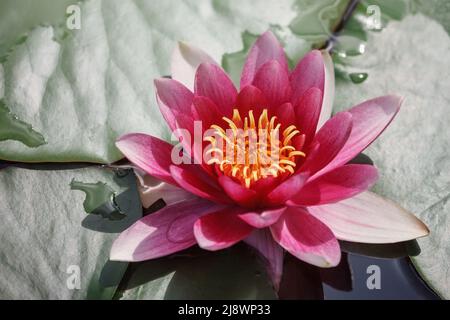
(166, 231)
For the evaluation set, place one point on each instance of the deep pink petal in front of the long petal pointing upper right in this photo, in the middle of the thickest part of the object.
(330, 138)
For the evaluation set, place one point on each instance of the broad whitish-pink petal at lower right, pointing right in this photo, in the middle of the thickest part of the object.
(370, 218)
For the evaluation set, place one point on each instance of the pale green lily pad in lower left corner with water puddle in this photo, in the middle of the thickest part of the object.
(50, 248)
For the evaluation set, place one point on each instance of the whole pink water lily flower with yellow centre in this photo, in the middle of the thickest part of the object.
(303, 203)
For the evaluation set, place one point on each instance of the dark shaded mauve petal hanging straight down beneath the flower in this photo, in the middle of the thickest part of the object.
(271, 252)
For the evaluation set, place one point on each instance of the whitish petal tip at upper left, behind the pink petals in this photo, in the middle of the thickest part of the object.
(185, 61)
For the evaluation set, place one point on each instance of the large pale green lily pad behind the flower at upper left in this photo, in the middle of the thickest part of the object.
(82, 91)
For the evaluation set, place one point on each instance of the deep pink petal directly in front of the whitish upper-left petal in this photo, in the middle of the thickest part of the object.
(212, 82)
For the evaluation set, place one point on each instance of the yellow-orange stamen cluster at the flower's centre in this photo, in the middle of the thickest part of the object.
(249, 150)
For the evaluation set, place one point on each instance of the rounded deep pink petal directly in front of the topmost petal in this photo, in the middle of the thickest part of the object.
(272, 79)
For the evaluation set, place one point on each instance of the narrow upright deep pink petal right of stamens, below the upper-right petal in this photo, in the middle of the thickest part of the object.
(307, 112)
